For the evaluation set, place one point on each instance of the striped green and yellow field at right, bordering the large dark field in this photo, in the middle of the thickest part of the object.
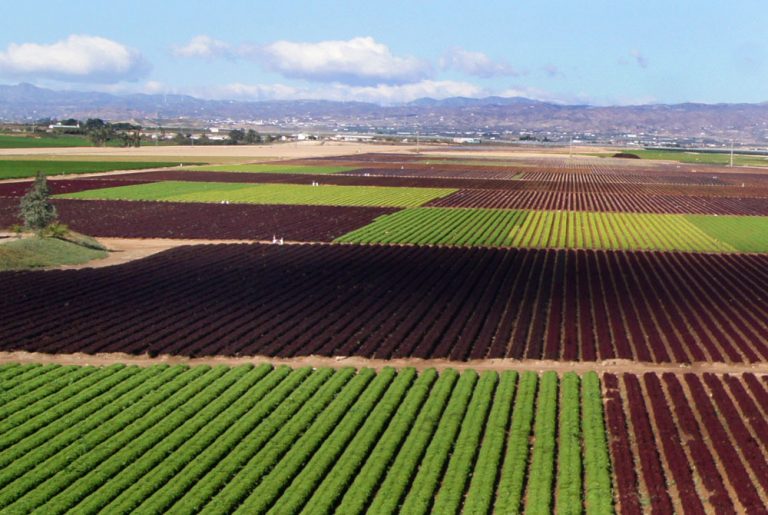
(556, 229)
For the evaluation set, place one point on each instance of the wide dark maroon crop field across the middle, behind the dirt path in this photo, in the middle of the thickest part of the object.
(384, 302)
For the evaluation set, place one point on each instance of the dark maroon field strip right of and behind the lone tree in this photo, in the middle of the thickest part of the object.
(123, 219)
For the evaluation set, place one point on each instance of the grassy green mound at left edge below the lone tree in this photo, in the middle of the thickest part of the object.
(41, 252)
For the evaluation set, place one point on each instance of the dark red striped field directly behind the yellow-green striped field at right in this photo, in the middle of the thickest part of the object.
(607, 202)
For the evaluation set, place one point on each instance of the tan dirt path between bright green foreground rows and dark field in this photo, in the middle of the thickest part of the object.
(610, 366)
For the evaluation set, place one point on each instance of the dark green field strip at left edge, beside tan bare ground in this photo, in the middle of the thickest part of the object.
(12, 169)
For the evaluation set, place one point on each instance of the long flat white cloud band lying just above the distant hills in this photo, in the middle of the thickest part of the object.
(381, 93)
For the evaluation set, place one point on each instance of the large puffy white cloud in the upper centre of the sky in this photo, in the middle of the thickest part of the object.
(360, 61)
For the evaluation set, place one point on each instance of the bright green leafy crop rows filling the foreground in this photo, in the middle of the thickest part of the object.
(260, 439)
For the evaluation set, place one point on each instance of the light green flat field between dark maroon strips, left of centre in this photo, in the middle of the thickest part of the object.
(217, 192)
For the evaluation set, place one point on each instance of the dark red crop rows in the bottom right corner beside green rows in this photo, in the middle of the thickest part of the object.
(680, 441)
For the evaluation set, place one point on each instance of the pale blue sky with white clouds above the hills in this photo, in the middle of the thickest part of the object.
(599, 52)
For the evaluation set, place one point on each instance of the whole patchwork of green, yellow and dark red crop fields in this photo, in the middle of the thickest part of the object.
(572, 335)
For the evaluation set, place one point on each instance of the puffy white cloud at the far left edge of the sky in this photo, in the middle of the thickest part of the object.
(78, 58)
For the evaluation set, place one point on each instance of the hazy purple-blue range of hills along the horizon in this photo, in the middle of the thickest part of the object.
(745, 122)
